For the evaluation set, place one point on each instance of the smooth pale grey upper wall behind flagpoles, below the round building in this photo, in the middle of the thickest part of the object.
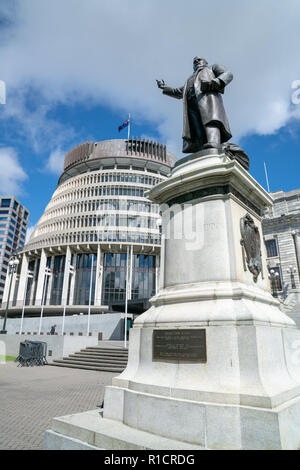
(109, 325)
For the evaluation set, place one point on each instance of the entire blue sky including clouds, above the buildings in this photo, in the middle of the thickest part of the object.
(74, 70)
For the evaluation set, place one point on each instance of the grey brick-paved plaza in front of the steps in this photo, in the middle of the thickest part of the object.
(31, 397)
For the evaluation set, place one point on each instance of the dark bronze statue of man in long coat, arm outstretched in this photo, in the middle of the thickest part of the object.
(205, 120)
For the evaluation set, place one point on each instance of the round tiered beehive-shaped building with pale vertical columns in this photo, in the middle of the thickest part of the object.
(98, 230)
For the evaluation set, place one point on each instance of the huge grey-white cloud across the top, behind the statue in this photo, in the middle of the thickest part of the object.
(111, 53)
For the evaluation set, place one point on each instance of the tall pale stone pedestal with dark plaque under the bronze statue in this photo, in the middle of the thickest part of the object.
(245, 394)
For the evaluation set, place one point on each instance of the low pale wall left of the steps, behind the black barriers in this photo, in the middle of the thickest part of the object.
(58, 346)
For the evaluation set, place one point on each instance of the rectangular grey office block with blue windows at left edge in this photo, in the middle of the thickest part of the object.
(13, 227)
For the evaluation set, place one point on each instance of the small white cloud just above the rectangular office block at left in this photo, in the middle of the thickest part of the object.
(12, 174)
